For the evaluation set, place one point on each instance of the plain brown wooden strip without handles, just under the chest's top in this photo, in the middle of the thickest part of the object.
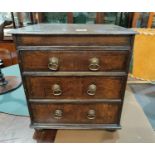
(43, 40)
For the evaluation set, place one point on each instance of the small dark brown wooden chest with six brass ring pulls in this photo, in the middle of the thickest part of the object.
(74, 76)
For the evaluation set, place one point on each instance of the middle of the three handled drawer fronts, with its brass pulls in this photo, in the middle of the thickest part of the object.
(75, 87)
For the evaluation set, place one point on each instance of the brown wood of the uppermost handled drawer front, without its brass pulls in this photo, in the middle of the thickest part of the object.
(73, 61)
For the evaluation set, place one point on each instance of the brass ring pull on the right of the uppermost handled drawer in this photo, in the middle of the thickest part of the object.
(94, 64)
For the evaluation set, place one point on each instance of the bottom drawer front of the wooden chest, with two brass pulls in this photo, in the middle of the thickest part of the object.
(100, 113)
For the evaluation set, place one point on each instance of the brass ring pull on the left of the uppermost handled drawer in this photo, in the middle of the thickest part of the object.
(53, 63)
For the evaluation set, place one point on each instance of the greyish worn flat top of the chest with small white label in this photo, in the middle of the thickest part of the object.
(73, 29)
